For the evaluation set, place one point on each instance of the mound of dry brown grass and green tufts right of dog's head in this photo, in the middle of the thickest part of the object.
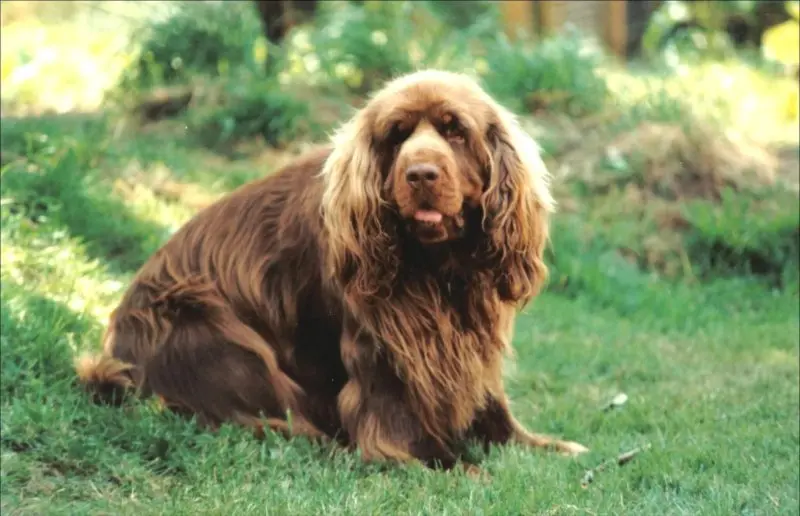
(682, 201)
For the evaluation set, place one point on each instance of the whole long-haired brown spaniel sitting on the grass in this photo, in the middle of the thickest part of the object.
(368, 289)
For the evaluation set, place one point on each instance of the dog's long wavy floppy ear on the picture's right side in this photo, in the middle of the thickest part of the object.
(517, 205)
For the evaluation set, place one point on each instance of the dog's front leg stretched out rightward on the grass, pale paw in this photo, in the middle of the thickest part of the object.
(496, 425)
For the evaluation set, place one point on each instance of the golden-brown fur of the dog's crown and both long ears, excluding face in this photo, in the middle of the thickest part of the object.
(515, 200)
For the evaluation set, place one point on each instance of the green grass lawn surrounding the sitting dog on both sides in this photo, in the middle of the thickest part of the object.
(711, 370)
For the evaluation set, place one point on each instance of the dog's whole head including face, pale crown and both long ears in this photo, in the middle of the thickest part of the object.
(430, 154)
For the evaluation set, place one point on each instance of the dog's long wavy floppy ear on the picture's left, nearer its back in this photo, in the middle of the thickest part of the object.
(359, 254)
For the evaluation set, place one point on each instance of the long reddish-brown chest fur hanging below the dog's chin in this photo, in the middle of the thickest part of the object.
(446, 353)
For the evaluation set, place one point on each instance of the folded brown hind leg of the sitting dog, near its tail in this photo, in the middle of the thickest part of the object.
(218, 368)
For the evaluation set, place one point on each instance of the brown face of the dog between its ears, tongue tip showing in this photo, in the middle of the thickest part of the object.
(433, 170)
